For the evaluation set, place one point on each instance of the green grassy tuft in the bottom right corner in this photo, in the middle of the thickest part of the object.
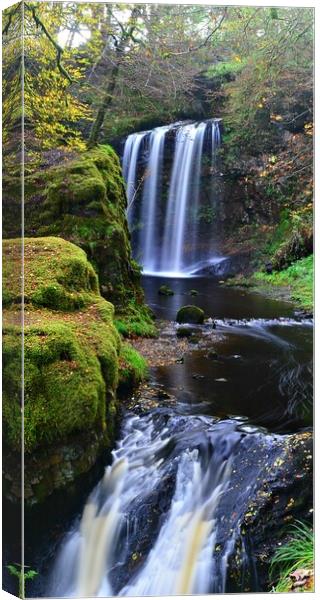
(297, 553)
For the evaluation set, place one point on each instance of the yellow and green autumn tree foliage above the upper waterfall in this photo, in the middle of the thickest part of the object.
(121, 67)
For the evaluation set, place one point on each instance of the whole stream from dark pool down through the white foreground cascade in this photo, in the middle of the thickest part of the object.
(167, 515)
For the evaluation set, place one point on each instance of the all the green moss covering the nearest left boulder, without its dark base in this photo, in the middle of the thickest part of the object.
(70, 358)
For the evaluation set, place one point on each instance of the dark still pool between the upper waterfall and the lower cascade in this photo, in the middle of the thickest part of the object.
(257, 361)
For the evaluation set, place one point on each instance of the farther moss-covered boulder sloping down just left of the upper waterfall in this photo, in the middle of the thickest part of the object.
(83, 200)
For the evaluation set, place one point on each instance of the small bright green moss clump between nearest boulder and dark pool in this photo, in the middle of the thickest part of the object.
(133, 368)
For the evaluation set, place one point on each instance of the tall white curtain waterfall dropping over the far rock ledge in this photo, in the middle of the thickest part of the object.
(168, 233)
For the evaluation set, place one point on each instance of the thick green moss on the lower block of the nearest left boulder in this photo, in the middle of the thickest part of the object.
(71, 370)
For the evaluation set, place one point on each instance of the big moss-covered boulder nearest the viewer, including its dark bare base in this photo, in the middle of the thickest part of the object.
(71, 366)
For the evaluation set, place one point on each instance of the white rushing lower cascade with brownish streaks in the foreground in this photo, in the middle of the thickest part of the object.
(154, 525)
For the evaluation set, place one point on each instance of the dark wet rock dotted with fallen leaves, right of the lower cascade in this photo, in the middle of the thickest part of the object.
(282, 494)
